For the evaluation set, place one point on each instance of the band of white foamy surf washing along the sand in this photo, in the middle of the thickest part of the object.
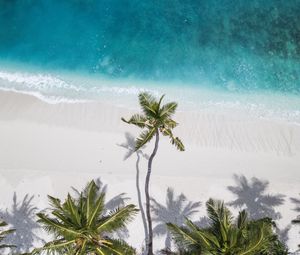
(75, 88)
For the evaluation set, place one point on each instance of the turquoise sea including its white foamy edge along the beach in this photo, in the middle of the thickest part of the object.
(243, 51)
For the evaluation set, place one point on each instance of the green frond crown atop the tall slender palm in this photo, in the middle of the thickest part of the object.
(155, 118)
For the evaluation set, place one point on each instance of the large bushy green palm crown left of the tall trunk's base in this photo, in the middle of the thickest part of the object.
(81, 227)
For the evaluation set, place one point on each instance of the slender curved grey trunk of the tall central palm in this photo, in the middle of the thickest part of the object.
(150, 235)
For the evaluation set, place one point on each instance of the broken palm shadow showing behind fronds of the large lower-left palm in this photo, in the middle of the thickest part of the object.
(111, 205)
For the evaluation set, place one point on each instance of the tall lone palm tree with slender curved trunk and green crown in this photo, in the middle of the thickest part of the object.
(156, 119)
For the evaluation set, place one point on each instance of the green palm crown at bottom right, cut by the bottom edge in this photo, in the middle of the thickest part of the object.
(224, 235)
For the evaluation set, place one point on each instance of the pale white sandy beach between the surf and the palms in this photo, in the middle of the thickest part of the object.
(47, 148)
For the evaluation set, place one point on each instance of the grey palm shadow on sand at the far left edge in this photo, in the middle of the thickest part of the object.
(21, 217)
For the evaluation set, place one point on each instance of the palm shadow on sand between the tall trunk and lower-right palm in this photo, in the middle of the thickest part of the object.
(176, 210)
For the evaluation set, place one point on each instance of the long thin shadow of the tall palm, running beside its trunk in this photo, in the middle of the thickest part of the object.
(129, 145)
